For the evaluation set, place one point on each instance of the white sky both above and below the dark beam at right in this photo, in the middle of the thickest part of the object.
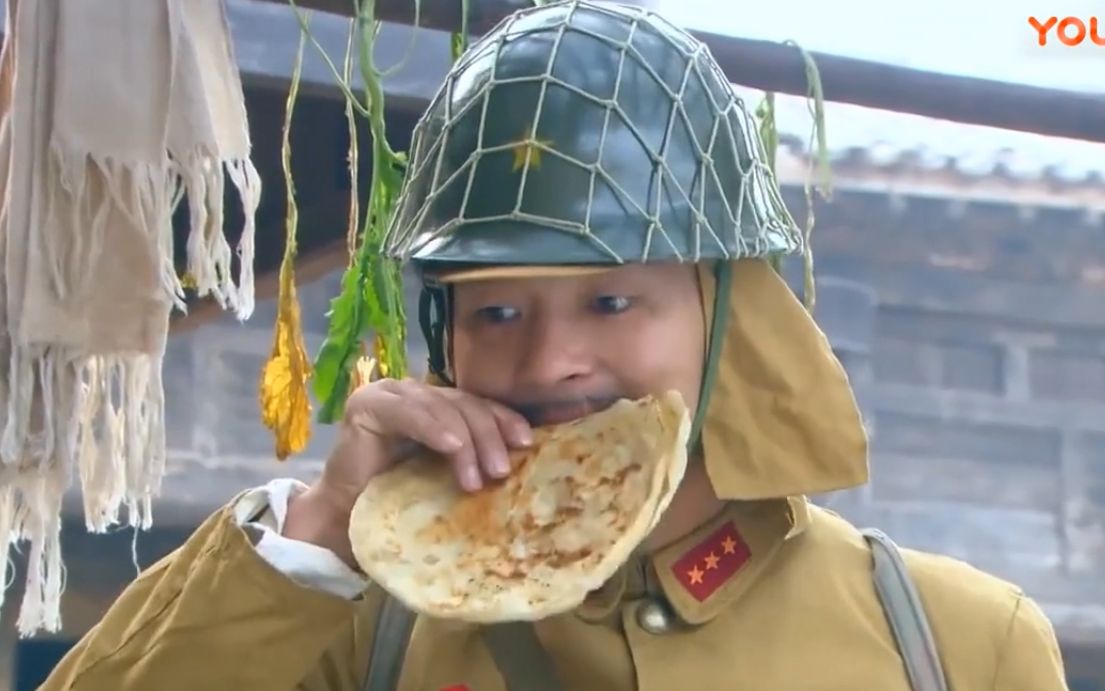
(990, 39)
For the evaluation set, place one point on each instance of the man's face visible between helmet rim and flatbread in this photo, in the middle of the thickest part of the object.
(557, 349)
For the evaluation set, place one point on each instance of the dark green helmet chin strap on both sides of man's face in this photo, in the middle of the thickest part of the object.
(434, 320)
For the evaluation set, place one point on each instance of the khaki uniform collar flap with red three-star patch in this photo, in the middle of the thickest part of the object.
(714, 566)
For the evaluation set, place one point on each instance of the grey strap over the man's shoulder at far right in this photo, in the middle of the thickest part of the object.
(907, 614)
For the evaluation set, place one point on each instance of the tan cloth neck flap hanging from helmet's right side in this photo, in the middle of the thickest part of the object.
(781, 418)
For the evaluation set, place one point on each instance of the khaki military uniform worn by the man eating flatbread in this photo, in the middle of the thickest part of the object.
(767, 595)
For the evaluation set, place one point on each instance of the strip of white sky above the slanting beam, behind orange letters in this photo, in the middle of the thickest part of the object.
(975, 38)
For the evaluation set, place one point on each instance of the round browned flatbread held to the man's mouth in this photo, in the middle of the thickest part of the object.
(576, 506)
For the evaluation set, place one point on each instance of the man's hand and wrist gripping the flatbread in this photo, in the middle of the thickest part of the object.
(388, 421)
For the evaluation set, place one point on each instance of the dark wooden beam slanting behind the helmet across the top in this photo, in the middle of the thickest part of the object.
(774, 67)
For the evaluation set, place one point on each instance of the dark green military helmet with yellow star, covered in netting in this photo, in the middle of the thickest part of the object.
(584, 133)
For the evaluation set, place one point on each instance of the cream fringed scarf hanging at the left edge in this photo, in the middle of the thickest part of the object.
(111, 114)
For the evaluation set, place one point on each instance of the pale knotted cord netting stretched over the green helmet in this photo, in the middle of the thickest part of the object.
(756, 225)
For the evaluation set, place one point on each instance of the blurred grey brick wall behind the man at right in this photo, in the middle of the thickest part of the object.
(975, 338)
